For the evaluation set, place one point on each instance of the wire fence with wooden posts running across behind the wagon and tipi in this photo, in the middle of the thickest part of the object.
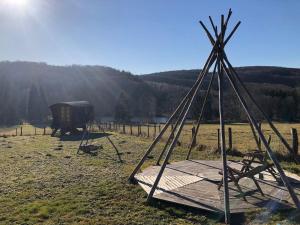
(238, 136)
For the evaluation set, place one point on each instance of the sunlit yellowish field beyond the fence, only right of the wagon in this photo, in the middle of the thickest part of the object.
(242, 137)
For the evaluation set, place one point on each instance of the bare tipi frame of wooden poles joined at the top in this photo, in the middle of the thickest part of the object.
(223, 68)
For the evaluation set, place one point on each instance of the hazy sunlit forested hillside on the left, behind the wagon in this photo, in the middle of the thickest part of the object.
(27, 89)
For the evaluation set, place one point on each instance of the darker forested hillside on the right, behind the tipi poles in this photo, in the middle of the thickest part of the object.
(276, 89)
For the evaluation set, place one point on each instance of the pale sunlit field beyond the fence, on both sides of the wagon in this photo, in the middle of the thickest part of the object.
(242, 138)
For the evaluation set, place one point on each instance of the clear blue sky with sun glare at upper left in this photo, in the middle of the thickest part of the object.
(146, 36)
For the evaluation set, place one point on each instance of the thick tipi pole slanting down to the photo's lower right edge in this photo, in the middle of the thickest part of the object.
(263, 139)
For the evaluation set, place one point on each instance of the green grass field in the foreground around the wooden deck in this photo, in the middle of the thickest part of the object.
(43, 180)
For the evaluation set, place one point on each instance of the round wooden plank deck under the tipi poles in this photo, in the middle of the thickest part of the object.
(195, 183)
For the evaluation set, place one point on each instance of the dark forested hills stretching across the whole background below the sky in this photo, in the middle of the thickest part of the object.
(27, 89)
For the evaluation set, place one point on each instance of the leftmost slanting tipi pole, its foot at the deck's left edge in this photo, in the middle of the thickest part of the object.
(206, 67)
